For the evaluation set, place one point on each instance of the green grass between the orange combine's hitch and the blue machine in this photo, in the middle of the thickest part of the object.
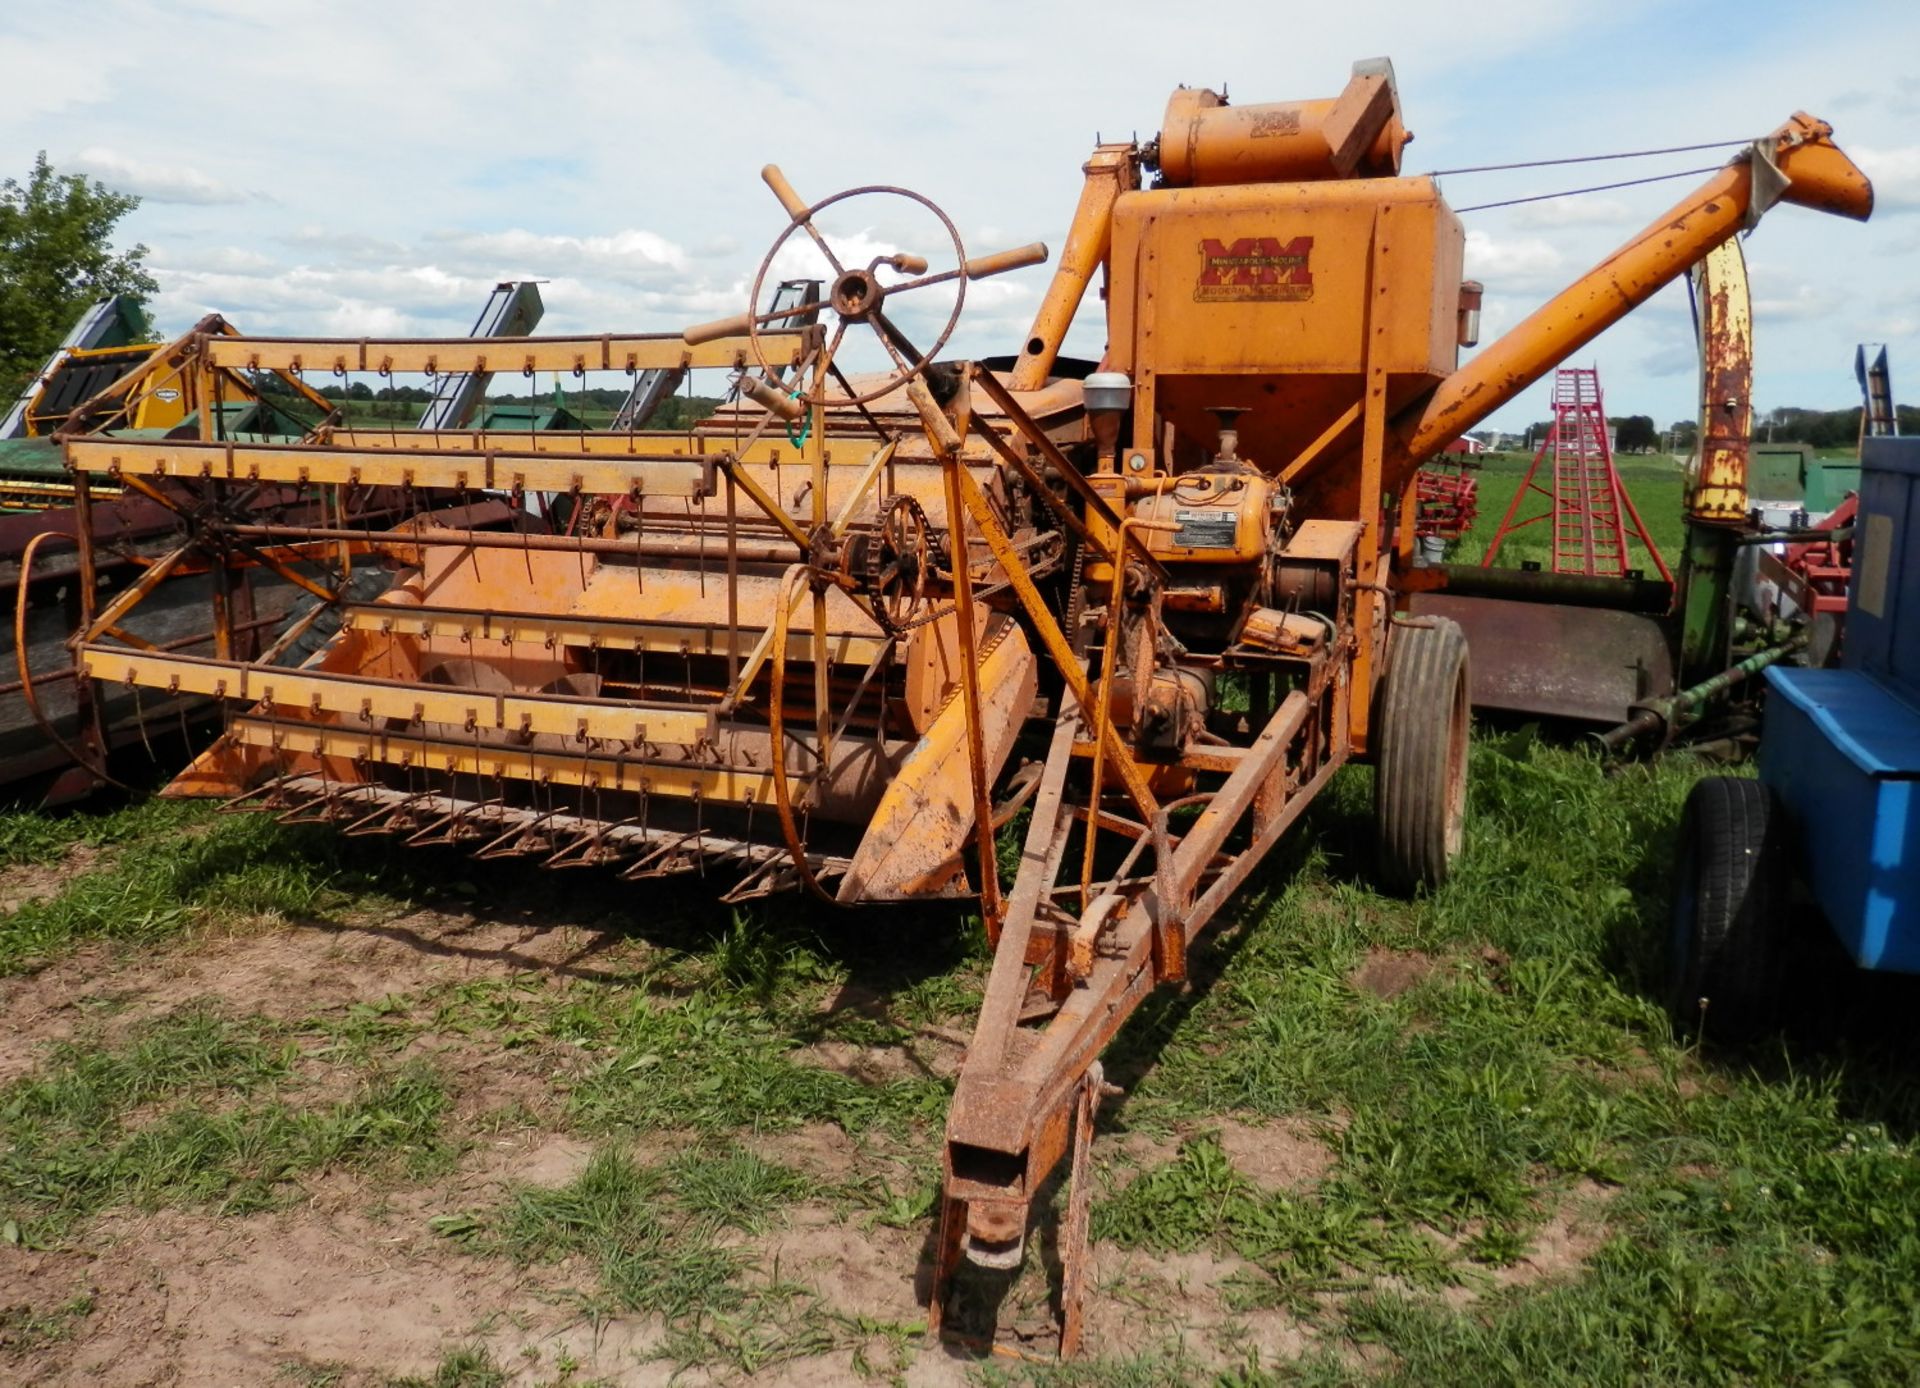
(1760, 1220)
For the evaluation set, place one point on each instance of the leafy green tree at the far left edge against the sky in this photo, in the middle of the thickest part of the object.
(57, 258)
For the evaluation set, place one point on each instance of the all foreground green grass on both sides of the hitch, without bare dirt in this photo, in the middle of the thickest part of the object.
(1758, 1214)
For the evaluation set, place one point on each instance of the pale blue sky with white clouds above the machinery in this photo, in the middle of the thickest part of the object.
(372, 170)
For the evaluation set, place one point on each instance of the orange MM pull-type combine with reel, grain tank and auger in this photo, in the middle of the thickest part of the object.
(798, 646)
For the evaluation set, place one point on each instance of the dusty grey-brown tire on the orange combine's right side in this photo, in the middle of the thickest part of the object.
(1422, 740)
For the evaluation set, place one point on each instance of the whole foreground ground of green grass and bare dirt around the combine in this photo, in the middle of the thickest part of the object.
(281, 1107)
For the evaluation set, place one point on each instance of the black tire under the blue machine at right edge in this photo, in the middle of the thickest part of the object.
(1733, 907)
